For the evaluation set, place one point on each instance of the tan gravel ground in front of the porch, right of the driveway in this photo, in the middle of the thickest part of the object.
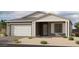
(57, 41)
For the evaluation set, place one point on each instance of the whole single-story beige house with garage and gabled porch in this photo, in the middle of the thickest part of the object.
(39, 24)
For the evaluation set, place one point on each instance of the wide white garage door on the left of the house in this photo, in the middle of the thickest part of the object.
(20, 30)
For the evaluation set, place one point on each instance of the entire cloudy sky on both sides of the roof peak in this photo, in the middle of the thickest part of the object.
(72, 15)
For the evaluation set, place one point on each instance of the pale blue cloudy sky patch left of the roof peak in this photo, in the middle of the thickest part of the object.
(13, 14)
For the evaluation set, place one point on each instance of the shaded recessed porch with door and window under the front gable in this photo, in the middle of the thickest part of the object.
(51, 29)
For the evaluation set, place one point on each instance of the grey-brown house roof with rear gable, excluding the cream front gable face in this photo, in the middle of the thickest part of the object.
(34, 16)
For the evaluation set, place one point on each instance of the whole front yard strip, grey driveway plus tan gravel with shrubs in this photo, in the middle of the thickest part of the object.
(50, 41)
